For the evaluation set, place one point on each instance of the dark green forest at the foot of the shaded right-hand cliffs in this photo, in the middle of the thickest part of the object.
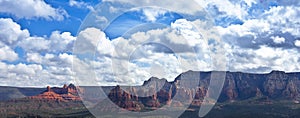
(249, 109)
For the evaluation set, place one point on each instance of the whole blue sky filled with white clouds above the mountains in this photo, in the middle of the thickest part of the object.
(125, 42)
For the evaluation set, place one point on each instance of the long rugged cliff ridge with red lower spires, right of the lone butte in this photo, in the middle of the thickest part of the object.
(237, 86)
